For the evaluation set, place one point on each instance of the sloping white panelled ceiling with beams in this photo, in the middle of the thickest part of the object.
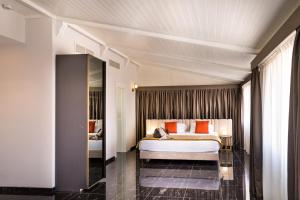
(214, 37)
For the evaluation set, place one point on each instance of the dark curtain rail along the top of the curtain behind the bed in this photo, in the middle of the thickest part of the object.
(188, 87)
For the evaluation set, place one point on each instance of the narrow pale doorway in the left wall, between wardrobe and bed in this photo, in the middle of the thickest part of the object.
(121, 144)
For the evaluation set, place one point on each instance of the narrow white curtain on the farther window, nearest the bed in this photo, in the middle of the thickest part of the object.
(246, 114)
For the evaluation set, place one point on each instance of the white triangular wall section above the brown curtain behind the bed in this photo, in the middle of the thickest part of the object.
(158, 76)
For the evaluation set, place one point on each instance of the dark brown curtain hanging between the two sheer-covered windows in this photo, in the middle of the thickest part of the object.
(256, 137)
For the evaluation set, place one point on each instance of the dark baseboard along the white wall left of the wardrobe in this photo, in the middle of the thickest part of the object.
(27, 191)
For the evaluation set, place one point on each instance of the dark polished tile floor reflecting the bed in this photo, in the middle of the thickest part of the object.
(131, 178)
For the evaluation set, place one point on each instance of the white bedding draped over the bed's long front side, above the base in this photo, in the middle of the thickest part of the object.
(179, 146)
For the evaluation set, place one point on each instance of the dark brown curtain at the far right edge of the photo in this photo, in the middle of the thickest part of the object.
(294, 125)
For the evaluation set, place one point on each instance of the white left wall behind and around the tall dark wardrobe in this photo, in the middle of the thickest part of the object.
(27, 103)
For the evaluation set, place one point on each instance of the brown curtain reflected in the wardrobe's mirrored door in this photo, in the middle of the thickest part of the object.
(95, 105)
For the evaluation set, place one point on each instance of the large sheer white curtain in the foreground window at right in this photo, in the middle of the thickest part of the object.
(276, 72)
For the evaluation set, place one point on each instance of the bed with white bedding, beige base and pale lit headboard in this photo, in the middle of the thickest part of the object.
(184, 146)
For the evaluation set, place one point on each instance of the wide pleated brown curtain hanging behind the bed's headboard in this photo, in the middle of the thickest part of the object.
(190, 103)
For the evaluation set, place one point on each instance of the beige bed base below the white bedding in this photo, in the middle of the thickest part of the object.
(214, 156)
